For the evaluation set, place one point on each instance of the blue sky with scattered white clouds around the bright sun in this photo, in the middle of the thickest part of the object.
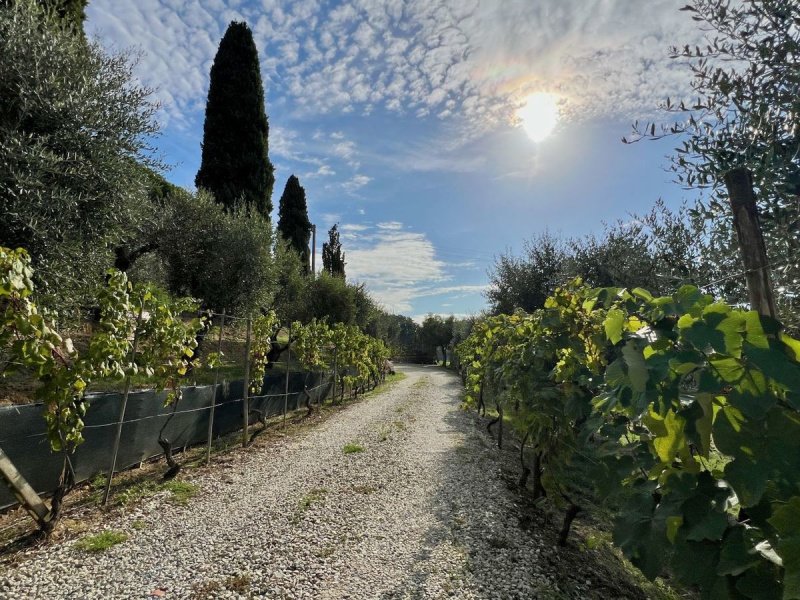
(400, 117)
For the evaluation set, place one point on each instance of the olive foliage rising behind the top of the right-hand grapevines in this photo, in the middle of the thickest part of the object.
(657, 250)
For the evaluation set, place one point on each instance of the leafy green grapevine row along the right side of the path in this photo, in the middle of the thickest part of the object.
(680, 412)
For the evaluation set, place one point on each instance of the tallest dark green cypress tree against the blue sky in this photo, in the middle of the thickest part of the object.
(235, 166)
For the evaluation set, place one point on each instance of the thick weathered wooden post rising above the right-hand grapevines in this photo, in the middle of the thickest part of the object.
(751, 241)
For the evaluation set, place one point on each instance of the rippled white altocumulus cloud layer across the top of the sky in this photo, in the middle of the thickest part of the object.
(470, 59)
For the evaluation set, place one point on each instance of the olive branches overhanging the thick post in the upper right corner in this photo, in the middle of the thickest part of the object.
(745, 114)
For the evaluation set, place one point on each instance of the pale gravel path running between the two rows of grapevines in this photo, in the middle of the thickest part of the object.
(421, 512)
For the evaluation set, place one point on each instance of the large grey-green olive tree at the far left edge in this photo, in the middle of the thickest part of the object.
(74, 130)
